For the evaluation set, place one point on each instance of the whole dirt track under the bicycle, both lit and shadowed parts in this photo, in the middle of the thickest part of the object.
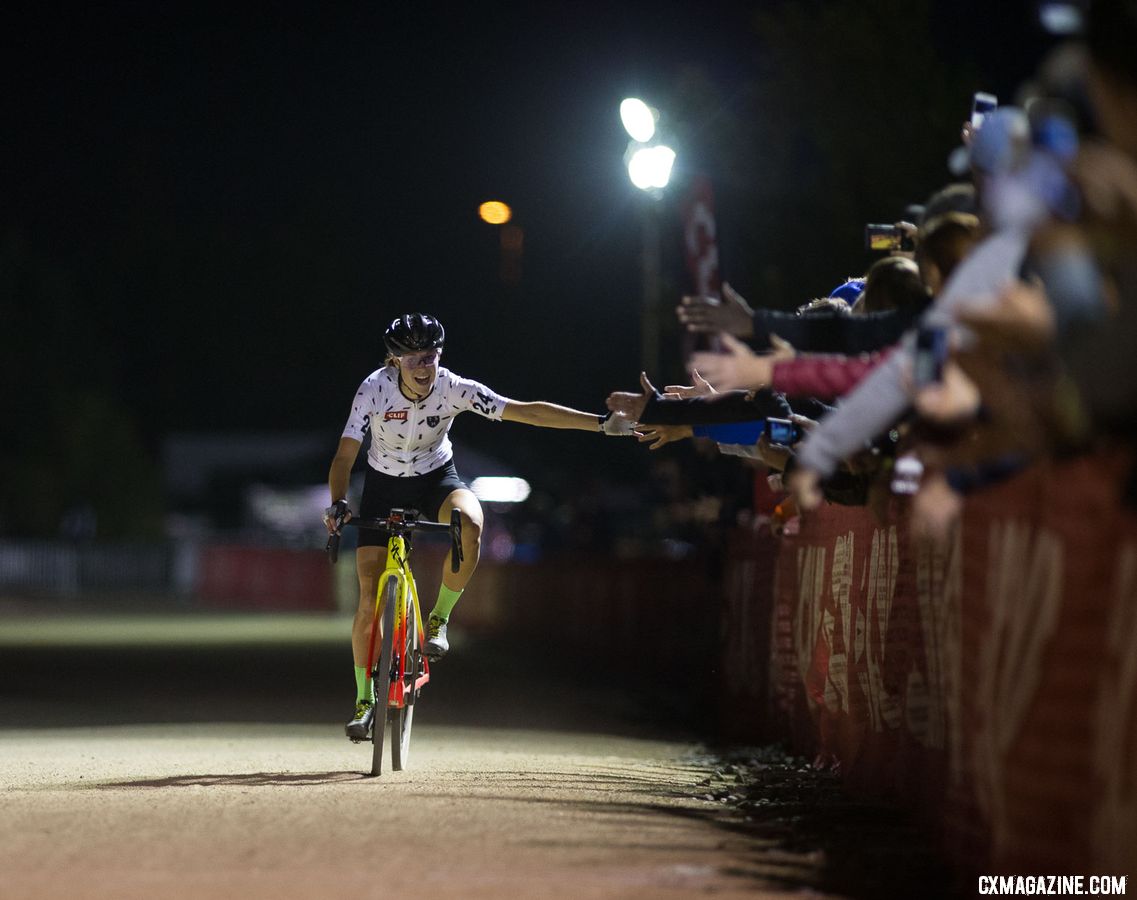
(204, 756)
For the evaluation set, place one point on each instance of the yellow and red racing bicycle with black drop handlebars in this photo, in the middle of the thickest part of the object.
(402, 666)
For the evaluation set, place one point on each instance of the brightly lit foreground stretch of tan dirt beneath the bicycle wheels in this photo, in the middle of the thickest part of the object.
(204, 811)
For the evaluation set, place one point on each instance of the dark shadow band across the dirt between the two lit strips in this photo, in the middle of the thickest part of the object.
(487, 682)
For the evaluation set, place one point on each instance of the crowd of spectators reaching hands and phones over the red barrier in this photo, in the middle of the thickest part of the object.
(1001, 330)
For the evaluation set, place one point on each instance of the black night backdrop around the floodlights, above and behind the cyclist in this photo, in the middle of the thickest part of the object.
(211, 212)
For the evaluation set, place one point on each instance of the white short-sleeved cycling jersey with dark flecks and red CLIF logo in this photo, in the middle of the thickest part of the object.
(409, 437)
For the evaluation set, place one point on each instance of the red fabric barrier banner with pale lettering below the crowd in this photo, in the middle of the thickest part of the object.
(993, 685)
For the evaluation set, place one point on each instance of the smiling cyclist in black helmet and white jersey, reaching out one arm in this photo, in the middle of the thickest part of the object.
(409, 406)
